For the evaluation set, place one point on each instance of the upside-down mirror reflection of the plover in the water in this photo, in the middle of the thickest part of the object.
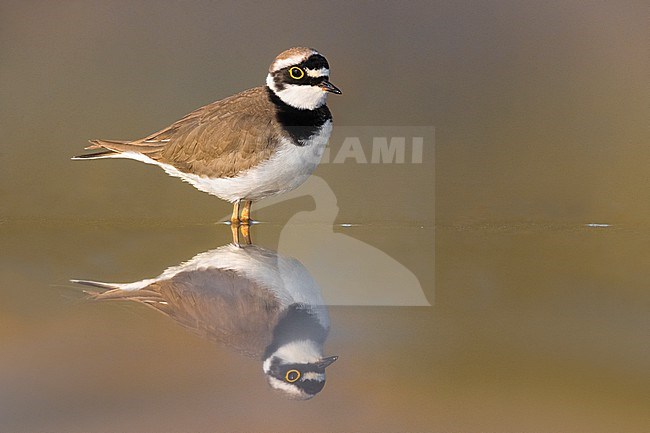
(252, 299)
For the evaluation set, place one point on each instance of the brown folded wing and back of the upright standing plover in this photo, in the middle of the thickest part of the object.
(217, 140)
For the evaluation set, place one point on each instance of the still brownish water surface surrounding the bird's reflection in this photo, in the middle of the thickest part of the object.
(530, 328)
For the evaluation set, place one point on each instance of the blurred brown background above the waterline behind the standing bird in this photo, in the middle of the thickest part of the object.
(540, 109)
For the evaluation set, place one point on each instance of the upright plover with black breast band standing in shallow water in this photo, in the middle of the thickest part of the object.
(257, 143)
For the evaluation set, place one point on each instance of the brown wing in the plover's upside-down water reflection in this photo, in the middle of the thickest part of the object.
(217, 304)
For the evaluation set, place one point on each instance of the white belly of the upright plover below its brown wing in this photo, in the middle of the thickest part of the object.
(284, 171)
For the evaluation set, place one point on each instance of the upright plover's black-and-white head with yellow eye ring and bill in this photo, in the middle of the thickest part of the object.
(300, 78)
